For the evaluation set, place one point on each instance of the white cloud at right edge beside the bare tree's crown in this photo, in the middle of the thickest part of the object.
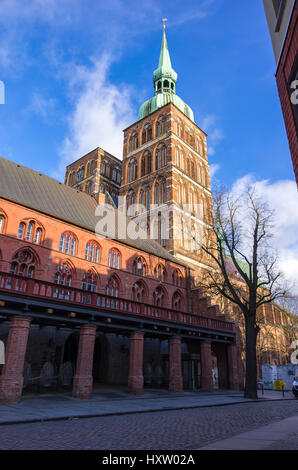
(282, 197)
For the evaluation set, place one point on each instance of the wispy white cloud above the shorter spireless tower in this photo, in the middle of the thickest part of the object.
(101, 112)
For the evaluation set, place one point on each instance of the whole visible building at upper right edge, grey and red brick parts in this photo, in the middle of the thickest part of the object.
(282, 18)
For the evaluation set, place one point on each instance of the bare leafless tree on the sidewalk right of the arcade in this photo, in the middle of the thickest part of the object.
(245, 272)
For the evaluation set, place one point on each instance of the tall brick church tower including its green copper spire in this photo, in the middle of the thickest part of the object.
(165, 172)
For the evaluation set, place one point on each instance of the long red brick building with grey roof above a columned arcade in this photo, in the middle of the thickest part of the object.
(78, 309)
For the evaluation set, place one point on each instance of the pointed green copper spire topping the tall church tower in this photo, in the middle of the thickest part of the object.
(164, 80)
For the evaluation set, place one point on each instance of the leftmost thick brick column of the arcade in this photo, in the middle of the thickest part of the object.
(11, 380)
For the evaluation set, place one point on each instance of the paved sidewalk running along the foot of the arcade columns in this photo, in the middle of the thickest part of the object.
(107, 401)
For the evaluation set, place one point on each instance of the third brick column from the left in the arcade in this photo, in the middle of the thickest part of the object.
(135, 378)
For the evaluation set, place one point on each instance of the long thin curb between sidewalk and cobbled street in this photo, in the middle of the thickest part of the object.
(120, 413)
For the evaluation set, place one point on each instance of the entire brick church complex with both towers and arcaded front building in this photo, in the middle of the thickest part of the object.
(78, 310)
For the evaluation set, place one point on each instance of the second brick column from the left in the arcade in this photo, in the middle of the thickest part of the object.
(83, 380)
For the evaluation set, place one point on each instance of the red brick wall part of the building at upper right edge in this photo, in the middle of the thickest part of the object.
(285, 76)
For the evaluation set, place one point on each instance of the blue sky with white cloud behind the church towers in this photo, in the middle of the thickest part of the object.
(76, 73)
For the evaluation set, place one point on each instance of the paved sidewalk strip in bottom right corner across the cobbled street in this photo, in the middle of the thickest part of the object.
(259, 439)
